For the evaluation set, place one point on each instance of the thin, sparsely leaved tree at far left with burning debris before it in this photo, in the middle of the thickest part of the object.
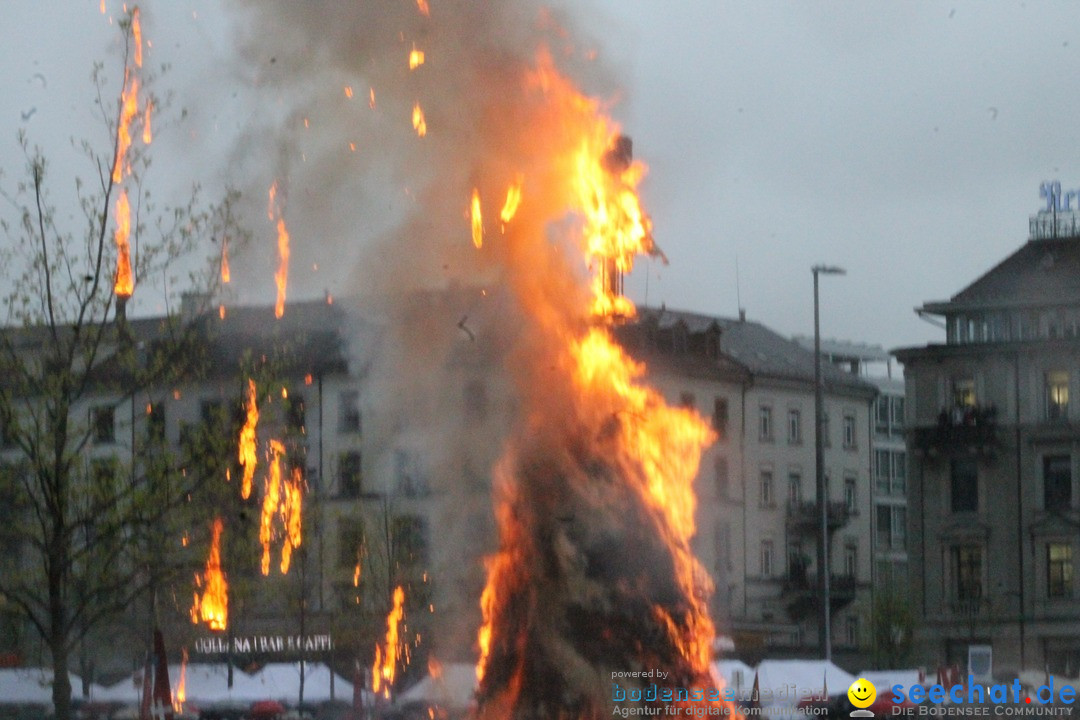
(87, 506)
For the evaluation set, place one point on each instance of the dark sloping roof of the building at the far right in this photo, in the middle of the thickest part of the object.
(1041, 273)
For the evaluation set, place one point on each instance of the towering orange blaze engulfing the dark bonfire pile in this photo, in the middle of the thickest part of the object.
(596, 420)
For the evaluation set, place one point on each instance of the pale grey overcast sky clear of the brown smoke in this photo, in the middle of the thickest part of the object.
(903, 141)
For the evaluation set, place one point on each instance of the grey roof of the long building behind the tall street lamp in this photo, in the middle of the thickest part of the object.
(746, 347)
